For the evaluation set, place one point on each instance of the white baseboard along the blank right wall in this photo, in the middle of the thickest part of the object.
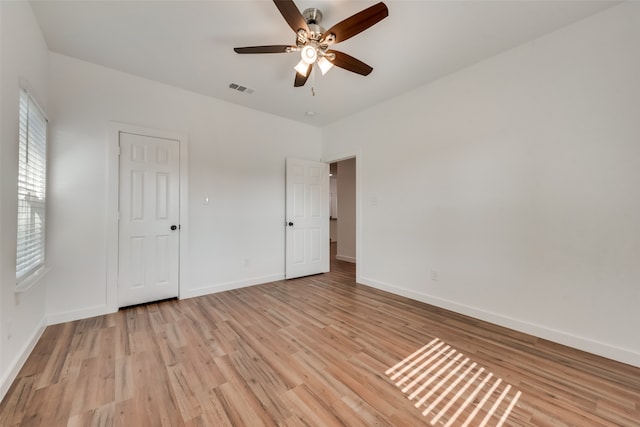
(586, 344)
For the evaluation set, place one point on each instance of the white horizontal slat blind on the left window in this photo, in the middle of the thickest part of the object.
(32, 183)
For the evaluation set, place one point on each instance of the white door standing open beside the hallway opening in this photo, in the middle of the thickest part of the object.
(307, 220)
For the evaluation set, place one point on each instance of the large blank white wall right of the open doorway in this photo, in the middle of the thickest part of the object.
(516, 182)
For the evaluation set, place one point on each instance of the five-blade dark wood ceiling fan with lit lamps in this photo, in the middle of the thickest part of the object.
(313, 41)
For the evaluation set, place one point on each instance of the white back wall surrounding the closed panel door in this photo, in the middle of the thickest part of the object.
(236, 159)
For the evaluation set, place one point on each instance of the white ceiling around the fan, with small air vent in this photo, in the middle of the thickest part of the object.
(190, 44)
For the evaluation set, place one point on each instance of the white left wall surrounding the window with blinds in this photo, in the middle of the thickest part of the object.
(24, 62)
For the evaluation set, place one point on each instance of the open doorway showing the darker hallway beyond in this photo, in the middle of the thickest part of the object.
(343, 209)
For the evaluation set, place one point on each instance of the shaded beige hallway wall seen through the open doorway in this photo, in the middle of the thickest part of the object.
(346, 233)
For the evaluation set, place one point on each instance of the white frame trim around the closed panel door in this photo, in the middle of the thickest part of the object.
(113, 197)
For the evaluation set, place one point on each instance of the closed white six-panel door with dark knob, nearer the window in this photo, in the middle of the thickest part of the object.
(149, 219)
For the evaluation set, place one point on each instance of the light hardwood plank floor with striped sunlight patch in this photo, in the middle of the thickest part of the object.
(314, 351)
